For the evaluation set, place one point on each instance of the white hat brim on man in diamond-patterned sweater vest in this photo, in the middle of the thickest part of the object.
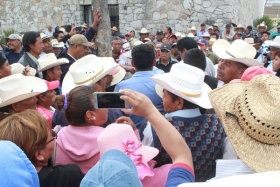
(164, 83)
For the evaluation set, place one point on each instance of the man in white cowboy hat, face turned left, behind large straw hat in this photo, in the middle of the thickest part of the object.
(235, 58)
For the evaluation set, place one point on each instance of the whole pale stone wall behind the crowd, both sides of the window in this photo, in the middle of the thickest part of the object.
(23, 15)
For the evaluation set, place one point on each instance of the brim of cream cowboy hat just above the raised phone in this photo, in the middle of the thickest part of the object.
(68, 83)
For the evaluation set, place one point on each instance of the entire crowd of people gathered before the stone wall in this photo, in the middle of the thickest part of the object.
(193, 100)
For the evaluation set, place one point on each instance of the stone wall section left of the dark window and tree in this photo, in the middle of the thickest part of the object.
(24, 15)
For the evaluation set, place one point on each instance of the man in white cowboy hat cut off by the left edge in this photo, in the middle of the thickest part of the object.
(18, 92)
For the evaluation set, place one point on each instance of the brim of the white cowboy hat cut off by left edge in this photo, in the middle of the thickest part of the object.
(38, 86)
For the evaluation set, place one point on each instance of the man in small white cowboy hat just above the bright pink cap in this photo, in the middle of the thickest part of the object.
(49, 65)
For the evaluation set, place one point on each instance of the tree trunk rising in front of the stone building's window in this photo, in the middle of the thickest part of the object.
(104, 33)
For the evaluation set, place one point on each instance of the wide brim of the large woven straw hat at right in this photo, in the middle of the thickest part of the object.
(258, 156)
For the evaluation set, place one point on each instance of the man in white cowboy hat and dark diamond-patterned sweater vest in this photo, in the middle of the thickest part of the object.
(183, 91)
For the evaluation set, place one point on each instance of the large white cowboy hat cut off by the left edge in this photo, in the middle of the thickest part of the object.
(17, 87)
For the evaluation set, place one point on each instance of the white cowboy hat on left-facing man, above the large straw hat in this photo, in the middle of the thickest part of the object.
(239, 51)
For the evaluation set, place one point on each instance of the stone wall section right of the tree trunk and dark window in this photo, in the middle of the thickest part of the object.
(180, 15)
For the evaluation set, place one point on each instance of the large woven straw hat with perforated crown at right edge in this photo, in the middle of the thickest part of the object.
(249, 114)
